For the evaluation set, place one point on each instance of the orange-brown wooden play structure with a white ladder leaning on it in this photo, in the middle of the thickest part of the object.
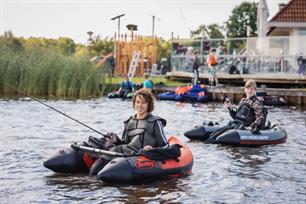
(134, 56)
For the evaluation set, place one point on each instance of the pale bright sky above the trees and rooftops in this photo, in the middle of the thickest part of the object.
(74, 18)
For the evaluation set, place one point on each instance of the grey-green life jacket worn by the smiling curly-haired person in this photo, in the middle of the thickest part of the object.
(139, 133)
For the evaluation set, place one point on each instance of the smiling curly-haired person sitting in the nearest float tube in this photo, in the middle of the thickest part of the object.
(141, 131)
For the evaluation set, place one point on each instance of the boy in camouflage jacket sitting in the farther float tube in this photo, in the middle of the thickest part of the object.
(250, 111)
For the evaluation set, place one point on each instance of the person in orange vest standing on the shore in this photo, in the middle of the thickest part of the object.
(212, 63)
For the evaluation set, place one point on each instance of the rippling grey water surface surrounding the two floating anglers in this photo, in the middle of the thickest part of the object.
(31, 133)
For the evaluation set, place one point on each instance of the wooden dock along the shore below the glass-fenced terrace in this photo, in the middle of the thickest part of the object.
(292, 96)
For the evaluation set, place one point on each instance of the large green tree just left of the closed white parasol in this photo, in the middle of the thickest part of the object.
(243, 16)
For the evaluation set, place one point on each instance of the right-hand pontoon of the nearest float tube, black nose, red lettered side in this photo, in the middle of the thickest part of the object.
(125, 169)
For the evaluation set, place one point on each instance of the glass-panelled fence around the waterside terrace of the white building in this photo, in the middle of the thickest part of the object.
(243, 55)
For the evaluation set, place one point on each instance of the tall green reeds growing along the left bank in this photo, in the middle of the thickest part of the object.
(47, 73)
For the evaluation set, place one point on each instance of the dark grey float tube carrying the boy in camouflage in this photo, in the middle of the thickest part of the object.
(238, 137)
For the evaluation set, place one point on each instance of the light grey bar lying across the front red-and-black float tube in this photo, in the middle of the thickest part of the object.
(98, 153)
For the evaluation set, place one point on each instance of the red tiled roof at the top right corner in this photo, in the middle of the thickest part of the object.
(294, 11)
